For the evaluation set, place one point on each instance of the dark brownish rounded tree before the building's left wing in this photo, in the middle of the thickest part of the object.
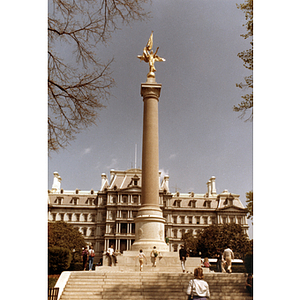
(66, 236)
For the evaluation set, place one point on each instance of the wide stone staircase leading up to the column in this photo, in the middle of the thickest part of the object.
(91, 285)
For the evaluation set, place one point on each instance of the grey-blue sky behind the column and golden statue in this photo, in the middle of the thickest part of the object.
(199, 133)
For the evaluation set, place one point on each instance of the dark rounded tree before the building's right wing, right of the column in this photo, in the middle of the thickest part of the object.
(218, 237)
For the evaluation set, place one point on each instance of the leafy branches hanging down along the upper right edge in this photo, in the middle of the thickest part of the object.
(247, 56)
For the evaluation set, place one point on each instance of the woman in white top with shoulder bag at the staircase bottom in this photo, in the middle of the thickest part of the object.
(198, 288)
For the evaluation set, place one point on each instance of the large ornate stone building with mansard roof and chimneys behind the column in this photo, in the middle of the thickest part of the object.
(106, 216)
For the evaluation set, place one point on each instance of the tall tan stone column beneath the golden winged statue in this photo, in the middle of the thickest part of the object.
(149, 222)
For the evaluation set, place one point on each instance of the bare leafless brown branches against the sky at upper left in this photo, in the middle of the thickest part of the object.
(78, 80)
